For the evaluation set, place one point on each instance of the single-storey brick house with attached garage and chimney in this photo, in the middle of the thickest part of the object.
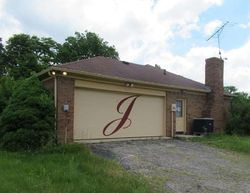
(101, 99)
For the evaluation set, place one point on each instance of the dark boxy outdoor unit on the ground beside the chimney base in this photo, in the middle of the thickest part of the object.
(203, 125)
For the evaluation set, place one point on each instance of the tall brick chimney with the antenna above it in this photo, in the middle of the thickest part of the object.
(214, 71)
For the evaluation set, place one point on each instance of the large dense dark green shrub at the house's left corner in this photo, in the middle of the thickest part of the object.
(27, 122)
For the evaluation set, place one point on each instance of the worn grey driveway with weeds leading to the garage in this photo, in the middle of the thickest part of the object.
(181, 166)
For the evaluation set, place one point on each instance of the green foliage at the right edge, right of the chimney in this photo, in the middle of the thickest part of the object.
(239, 120)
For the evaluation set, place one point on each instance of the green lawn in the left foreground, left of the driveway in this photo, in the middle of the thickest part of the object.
(65, 169)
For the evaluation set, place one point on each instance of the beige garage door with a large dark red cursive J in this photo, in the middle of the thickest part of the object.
(104, 114)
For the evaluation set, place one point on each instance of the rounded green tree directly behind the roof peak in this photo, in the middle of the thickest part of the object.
(85, 45)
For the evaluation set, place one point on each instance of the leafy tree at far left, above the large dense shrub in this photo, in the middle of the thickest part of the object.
(25, 54)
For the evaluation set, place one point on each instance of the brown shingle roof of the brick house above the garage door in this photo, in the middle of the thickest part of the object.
(126, 70)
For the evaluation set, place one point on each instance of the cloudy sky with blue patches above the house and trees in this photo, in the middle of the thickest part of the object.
(170, 33)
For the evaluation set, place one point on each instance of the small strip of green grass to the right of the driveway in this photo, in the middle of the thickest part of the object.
(230, 142)
